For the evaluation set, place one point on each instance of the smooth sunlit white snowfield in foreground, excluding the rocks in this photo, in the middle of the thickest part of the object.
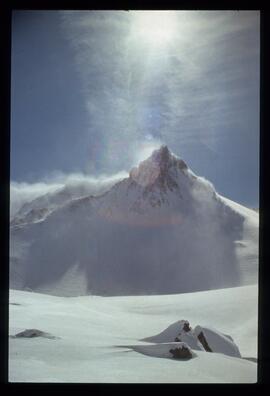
(93, 331)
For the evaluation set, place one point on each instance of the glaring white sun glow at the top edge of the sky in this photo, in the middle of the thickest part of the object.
(156, 28)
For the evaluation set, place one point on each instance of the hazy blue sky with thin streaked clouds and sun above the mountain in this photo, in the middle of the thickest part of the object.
(94, 92)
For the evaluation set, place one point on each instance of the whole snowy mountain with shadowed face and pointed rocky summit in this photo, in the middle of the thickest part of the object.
(160, 230)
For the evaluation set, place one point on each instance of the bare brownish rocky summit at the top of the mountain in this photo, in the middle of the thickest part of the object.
(157, 168)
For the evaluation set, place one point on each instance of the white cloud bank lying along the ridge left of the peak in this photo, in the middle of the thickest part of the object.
(73, 185)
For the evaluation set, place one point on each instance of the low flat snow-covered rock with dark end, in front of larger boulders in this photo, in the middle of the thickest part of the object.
(176, 350)
